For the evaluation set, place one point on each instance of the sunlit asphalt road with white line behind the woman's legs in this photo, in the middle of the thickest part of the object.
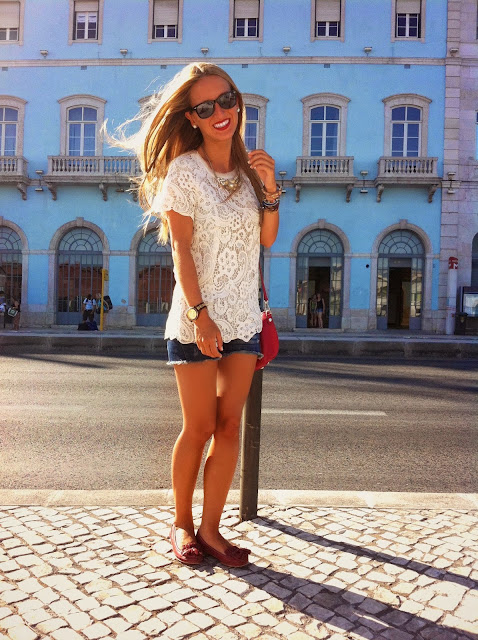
(99, 422)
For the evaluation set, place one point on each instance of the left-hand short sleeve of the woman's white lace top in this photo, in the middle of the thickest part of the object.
(178, 191)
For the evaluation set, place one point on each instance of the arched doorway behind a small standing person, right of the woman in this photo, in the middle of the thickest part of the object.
(320, 259)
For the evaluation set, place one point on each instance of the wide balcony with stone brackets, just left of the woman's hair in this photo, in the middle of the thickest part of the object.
(101, 170)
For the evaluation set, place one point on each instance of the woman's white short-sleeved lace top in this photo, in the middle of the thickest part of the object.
(225, 249)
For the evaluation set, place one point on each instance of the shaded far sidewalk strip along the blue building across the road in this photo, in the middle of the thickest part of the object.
(313, 342)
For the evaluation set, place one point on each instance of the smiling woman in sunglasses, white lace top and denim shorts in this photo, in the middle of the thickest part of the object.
(218, 205)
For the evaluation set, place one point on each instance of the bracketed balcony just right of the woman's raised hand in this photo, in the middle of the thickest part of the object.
(324, 170)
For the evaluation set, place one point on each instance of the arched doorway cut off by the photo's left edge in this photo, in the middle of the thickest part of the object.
(10, 265)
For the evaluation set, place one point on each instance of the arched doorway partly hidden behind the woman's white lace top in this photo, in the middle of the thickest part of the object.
(155, 281)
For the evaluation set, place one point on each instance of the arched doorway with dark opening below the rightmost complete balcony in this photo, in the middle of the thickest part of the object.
(400, 274)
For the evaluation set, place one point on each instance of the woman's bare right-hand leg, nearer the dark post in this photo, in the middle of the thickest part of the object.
(233, 383)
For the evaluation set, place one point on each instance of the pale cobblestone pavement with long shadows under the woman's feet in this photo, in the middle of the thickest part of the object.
(70, 573)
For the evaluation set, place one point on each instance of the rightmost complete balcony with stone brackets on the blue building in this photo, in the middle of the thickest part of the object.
(399, 171)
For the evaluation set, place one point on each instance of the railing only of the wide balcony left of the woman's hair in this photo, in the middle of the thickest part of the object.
(100, 166)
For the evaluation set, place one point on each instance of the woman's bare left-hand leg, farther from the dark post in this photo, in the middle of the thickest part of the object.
(197, 393)
